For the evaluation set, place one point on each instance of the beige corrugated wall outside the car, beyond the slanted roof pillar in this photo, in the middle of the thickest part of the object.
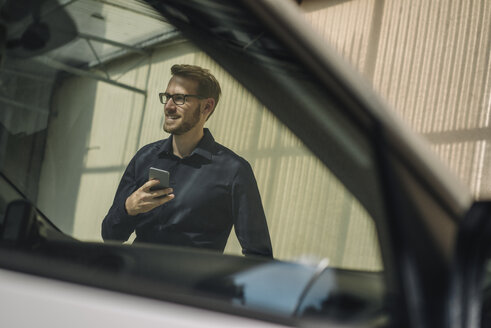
(431, 60)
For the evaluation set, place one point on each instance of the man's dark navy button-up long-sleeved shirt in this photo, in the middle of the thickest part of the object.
(214, 189)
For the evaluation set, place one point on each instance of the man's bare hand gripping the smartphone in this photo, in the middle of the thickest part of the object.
(144, 199)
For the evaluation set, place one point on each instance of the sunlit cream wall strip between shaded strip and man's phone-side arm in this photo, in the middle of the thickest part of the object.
(112, 143)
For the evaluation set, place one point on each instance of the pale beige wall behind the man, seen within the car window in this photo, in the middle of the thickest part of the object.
(99, 127)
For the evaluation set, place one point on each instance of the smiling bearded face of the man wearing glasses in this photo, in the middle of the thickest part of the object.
(180, 119)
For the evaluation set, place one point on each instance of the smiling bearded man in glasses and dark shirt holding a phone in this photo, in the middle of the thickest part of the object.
(211, 188)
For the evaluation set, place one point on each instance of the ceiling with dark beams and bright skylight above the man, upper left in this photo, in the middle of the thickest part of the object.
(44, 38)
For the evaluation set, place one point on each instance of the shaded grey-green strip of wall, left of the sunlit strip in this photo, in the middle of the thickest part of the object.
(66, 149)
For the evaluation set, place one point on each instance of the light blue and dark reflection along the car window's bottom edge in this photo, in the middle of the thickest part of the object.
(295, 289)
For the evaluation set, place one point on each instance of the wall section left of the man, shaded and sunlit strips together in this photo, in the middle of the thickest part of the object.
(92, 137)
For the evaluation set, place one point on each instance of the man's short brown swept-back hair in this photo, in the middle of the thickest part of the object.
(208, 85)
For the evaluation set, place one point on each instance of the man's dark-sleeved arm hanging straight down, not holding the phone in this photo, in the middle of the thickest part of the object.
(250, 223)
